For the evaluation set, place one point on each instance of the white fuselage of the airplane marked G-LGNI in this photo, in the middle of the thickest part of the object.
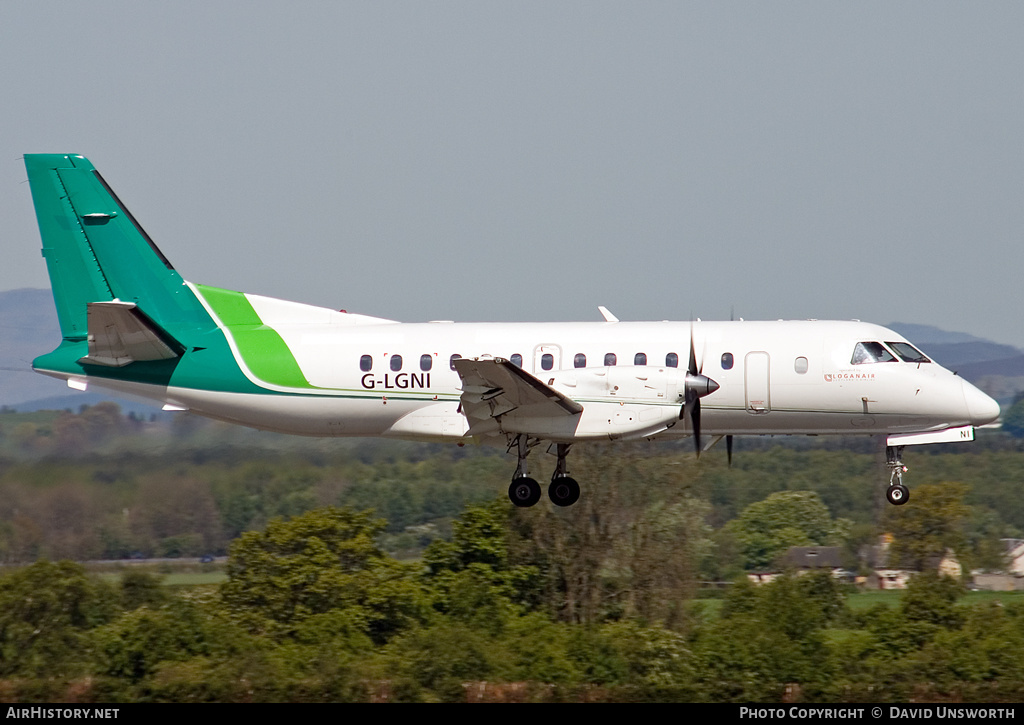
(786, 377)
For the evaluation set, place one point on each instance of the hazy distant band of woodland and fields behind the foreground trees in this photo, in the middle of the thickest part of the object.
(189, 488)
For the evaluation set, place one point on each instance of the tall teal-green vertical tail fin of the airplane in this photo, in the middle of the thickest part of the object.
(97, 251)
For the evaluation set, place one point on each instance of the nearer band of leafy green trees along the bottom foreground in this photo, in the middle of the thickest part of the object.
(314, 611)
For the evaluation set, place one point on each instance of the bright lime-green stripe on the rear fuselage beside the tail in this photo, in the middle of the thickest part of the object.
(263, 350)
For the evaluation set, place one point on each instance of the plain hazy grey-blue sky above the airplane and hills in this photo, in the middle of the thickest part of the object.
(517, 161)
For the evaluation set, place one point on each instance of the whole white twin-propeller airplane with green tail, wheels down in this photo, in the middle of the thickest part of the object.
(132, 324)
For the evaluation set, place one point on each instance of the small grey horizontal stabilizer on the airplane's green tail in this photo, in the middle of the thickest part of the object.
(121, 334)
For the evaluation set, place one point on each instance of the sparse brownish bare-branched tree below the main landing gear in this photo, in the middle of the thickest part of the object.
(628, 549)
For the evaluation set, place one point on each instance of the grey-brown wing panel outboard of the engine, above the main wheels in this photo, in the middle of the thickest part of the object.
(494, 388)
